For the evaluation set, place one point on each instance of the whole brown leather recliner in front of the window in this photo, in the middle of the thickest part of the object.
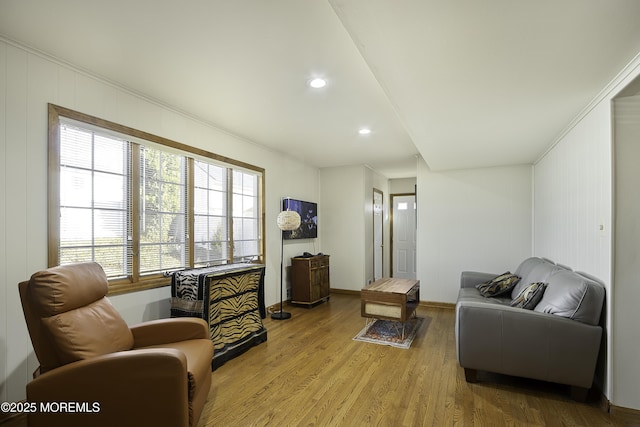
(96, 371)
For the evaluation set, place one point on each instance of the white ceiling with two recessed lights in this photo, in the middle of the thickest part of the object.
(463, 83)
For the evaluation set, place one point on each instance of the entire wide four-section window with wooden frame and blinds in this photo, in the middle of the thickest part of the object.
(143, 206)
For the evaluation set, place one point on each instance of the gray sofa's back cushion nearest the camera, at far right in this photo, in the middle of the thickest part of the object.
(573, 295)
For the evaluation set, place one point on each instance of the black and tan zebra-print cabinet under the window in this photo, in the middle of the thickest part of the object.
(230, 298)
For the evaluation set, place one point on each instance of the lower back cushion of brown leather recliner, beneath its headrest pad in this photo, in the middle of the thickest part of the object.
(89, 331)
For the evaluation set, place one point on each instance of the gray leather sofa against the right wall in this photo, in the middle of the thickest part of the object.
(556, 341)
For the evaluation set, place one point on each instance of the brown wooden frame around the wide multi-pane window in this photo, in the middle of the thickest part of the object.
(134, 282)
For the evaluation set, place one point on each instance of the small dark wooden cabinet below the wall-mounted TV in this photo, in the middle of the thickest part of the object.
(310, 279)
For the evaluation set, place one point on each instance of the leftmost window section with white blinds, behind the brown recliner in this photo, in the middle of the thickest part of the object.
(93, 199)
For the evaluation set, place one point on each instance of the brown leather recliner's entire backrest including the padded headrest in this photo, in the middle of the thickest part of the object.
(69, 316)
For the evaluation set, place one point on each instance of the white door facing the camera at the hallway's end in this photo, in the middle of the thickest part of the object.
(403, 232)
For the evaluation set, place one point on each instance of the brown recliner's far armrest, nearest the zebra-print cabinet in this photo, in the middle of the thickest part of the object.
(165, 331)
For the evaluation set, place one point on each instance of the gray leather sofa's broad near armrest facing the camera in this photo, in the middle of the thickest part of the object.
(526, 343)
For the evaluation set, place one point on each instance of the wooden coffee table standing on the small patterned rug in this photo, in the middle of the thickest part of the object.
(390, 299)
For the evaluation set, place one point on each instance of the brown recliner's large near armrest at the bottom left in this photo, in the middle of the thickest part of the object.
(138, 387)
